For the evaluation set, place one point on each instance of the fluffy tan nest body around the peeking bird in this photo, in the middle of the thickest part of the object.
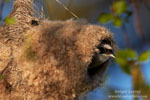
(53, 62)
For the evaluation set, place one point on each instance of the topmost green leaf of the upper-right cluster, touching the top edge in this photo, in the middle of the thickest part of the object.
(119, 7)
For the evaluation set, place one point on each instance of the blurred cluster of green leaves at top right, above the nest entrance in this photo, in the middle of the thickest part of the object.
(119, 13)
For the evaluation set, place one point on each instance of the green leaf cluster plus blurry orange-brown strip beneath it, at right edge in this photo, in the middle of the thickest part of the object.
(129, 61)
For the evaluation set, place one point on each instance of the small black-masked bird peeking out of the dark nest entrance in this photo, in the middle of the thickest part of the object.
(103, 54)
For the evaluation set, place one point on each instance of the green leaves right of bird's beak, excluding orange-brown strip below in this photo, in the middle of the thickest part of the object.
(128, 58)
